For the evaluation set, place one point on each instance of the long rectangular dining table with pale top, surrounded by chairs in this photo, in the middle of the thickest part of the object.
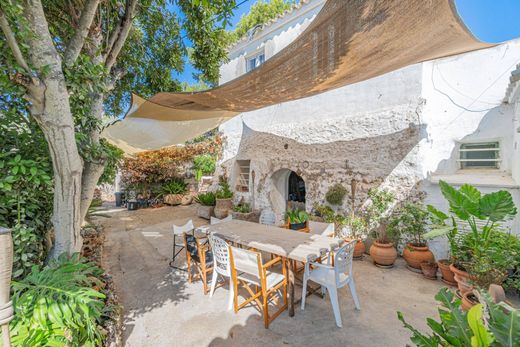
(286, 243)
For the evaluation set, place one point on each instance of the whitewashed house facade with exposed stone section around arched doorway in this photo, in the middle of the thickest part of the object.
(455, 119)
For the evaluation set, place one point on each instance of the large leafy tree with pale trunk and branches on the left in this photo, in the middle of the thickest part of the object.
(67, 65)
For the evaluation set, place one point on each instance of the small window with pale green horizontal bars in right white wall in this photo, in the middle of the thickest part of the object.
(479, 155)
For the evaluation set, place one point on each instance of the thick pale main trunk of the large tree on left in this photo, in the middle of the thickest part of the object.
(51, 109)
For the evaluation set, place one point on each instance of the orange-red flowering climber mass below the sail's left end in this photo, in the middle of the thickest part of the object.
(160, 166)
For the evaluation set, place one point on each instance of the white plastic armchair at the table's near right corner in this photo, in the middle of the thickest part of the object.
(333, 278)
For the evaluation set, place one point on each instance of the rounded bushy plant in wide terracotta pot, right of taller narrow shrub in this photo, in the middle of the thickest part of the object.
(410, 222)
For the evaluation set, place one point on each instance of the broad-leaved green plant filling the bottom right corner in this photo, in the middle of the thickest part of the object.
(484, 325)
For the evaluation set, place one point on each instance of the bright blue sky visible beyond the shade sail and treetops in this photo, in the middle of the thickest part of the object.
(490, 21)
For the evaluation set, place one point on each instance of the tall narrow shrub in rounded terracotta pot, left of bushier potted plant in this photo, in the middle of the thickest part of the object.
(382, 250)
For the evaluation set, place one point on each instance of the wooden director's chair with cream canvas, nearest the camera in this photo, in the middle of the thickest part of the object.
(248, 269)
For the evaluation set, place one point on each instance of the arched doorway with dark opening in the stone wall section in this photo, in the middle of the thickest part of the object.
(288, 191)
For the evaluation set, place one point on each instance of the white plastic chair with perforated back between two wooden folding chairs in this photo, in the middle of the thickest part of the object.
(220, 250)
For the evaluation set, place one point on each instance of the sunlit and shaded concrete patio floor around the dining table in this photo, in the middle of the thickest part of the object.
(162, 309)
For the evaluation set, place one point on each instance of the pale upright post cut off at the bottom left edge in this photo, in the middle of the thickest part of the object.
(6, 270)
